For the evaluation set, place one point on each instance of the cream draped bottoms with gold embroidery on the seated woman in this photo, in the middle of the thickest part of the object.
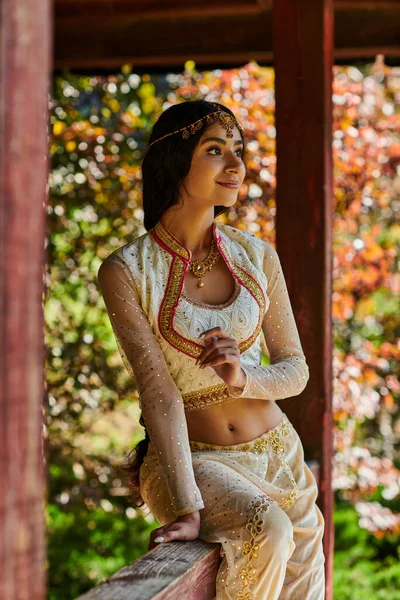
(260, 506)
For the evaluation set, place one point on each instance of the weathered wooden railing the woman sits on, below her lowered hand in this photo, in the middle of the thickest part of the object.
(172, 571)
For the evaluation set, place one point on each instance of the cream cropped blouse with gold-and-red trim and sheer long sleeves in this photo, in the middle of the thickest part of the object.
(156, 326)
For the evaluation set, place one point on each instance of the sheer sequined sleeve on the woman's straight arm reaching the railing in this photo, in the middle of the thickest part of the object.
(160, 401)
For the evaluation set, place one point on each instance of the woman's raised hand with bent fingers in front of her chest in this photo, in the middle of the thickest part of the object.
(223, 355)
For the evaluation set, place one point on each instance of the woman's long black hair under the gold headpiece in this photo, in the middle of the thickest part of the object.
(164, 167)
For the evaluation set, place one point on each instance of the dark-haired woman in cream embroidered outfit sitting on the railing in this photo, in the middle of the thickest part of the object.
(220, 460)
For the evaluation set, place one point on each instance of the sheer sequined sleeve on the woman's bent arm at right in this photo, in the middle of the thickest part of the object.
(288, 372)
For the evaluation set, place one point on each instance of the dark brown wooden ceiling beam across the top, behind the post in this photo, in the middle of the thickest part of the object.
(155, 35)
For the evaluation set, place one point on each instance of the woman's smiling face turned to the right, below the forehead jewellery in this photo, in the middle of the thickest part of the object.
(214, 162)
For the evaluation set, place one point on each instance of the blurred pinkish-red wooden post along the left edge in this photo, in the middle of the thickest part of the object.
(25, 46)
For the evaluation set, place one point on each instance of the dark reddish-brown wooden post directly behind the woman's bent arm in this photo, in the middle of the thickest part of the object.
(303, 60)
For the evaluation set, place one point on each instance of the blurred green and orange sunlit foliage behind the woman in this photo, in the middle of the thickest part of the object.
(100, 126)
